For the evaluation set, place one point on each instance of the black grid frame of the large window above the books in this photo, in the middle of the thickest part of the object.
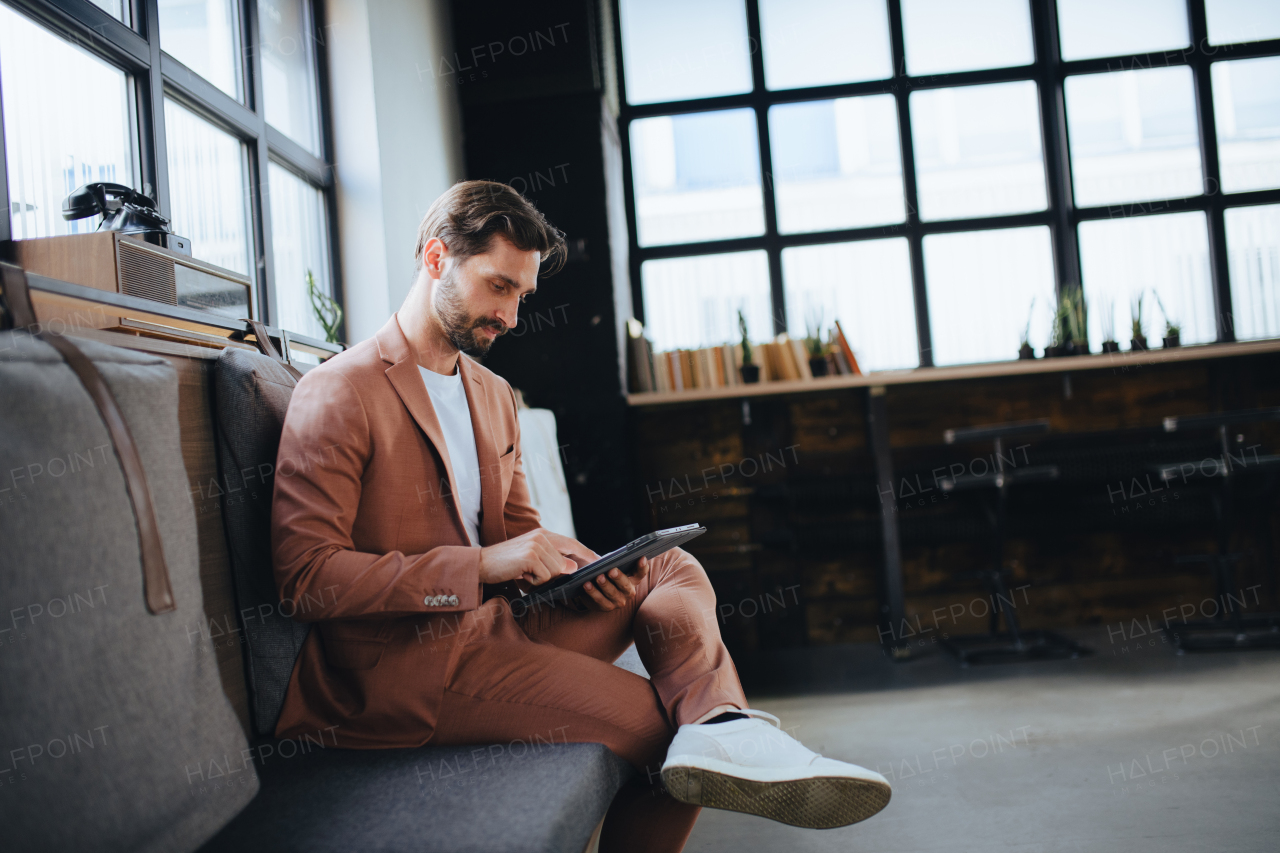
(1062, 216)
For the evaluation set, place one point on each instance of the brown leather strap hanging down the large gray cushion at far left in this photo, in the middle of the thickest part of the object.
(156, 573)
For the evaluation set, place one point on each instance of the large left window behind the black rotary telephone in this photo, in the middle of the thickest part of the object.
(226, 134)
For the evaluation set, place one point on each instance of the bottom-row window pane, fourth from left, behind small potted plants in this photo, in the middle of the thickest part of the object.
(1167, 256)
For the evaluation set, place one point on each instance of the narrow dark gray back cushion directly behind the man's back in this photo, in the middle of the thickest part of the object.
(252, 396)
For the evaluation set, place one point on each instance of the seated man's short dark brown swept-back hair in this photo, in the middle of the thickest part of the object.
(470, 213)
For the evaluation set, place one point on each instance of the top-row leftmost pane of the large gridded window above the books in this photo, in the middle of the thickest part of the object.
(675, 51)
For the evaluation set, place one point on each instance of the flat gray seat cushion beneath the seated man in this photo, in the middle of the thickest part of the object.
(486, 800)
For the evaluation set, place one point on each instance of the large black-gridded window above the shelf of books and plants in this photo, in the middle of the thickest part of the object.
(938, 175)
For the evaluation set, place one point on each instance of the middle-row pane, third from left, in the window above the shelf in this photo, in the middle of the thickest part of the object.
(979, 150)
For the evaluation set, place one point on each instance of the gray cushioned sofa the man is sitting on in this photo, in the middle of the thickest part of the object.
(127, 731)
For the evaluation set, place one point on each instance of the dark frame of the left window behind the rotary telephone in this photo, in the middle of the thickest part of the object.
(157, 76)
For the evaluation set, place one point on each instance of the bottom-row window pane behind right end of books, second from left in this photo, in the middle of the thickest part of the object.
(867, 286)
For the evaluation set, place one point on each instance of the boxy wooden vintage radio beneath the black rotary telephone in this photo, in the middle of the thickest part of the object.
(121, 263)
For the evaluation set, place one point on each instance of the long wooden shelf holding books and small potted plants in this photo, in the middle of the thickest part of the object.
(1067, 364)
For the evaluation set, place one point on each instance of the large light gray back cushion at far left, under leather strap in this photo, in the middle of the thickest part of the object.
(109, 714)
